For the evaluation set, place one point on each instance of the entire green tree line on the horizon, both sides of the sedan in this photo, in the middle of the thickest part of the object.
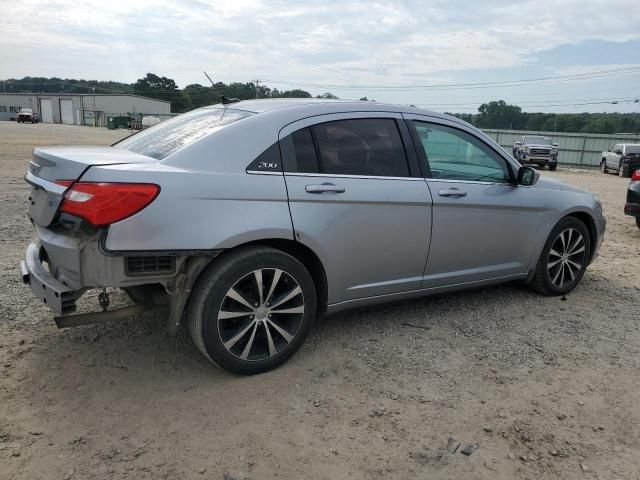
(494, 114)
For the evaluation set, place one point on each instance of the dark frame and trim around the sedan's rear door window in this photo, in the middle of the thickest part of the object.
(407, 148)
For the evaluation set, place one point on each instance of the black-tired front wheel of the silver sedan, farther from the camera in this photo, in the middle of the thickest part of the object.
(547, 267)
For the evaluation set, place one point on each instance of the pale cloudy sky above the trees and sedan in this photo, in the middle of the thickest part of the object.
(407, 52)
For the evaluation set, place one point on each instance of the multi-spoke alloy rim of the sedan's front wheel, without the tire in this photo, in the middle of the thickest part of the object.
(566, 257)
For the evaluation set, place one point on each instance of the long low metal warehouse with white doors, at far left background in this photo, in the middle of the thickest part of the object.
(81, 109)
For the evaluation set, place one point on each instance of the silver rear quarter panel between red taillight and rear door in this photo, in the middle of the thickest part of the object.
(198, 210)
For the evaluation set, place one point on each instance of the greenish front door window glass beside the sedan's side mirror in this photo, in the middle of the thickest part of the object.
(456, 155)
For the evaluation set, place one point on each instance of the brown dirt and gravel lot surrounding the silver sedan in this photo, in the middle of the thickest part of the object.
(548, 388)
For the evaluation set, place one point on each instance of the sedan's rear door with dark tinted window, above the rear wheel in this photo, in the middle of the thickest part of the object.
(358, 201)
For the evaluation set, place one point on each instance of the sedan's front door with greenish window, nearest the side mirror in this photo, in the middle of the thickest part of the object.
(484, 225)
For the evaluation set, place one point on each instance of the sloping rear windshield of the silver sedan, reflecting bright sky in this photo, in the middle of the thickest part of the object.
(167, 137)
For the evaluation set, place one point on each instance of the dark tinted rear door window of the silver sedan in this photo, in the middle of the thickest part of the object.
(367, 147)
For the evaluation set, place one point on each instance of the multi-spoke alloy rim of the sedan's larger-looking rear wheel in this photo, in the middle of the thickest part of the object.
(261, 314)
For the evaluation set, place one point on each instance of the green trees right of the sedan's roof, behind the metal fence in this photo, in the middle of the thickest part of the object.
(499, 114)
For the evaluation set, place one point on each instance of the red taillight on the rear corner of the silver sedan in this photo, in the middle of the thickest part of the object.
(106, 203)
